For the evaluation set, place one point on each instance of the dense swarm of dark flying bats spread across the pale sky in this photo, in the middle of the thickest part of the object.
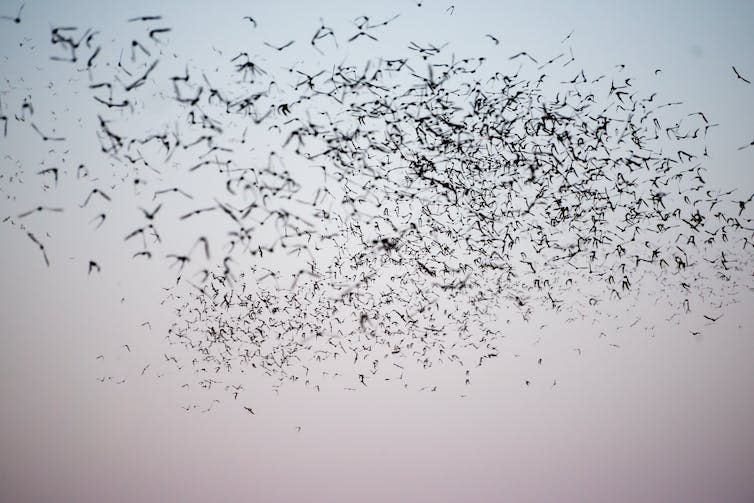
(381, 211)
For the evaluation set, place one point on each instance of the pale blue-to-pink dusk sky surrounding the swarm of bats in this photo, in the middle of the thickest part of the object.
(642, 410)
